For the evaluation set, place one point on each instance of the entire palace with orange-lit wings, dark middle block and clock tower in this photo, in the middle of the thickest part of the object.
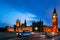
(36, 26)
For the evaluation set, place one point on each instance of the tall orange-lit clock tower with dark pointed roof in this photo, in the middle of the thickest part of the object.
(54, 21)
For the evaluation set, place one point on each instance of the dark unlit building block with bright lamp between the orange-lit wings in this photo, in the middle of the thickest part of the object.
(37, 26)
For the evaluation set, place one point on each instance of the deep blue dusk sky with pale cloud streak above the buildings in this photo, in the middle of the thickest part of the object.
(31, 10)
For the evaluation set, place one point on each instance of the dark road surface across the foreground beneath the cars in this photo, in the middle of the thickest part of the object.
(37, 36)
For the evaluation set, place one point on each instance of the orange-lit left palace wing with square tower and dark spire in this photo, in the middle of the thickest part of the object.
(19, 28)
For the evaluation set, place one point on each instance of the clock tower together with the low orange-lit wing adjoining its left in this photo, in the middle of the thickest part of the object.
(54, 27)
